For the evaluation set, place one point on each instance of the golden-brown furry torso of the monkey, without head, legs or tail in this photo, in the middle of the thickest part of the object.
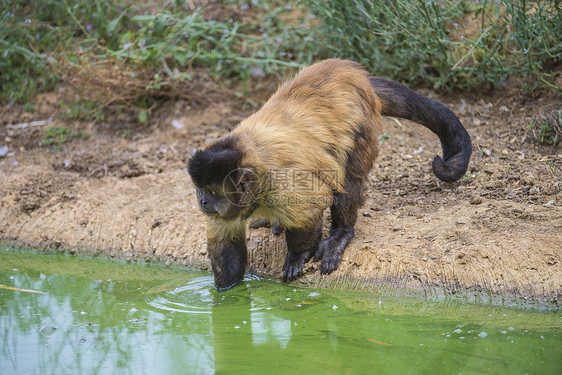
(324, 122)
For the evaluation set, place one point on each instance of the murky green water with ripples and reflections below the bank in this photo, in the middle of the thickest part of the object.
(107, 317)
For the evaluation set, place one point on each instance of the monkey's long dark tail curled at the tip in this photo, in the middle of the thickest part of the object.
(400, 101)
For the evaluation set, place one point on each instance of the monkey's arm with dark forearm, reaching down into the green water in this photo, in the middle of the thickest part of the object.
(226, 248)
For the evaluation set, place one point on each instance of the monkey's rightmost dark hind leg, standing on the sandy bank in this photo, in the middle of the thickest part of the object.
(344, 215)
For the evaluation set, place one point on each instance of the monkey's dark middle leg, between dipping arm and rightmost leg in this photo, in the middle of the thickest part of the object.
(302, 244)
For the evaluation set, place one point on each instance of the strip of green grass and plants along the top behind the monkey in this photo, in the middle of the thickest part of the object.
(434, 43)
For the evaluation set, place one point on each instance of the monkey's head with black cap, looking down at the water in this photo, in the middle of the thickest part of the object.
(221, 185)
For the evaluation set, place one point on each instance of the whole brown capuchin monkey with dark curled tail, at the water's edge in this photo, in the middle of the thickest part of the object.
(311, 146)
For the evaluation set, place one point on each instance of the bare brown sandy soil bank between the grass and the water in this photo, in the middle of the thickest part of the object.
(124, 191)
